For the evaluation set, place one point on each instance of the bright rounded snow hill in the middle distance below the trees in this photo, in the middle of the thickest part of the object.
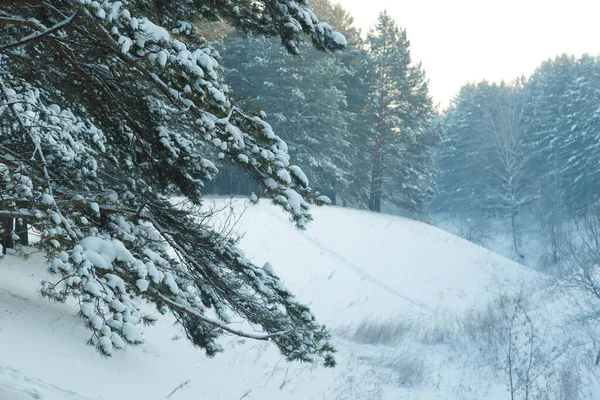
(391, 259)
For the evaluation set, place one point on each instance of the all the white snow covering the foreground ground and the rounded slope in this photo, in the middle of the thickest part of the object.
(407, 279)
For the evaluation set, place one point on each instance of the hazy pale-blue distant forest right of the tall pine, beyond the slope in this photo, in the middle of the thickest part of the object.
(529, 147)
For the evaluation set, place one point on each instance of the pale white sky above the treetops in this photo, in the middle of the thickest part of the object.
(461, 41)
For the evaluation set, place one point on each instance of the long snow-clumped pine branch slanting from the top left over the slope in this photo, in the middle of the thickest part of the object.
(204, 91)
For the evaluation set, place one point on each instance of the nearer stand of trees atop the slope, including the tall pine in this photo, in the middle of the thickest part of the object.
(356, 121)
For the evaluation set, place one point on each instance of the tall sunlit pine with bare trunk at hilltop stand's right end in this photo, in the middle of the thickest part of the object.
(400, 110)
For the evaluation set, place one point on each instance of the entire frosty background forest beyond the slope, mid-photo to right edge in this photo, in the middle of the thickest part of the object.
(364, 129)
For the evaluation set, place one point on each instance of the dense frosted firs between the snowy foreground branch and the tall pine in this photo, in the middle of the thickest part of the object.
(305, 98)
